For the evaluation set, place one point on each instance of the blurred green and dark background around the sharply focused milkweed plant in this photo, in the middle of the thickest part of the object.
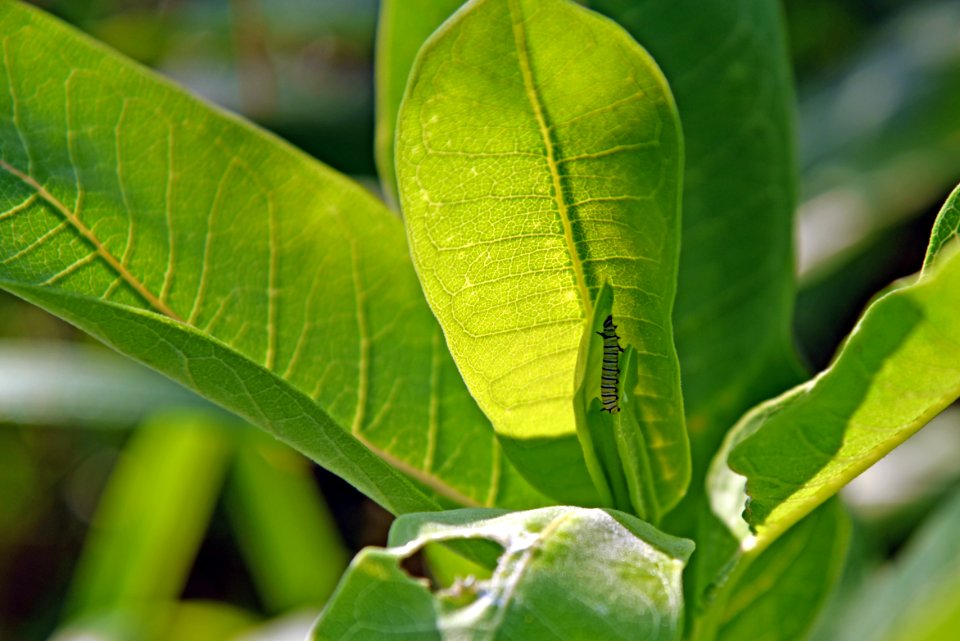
(130, 509)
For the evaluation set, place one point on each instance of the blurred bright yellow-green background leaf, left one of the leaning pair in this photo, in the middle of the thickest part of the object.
(152, 515)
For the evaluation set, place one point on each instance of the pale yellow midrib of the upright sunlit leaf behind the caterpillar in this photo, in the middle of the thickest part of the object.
(539, 111)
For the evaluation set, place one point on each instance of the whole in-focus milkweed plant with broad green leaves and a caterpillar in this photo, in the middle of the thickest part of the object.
(549, 173)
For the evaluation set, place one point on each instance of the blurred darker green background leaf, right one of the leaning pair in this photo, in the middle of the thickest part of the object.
(284, 528)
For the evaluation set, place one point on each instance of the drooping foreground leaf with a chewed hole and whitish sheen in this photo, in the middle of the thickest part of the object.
(547, 584)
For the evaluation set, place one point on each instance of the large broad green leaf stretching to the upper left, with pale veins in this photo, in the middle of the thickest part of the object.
(225, 259)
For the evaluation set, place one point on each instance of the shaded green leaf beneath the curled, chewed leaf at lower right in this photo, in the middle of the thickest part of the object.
(780, 593)
